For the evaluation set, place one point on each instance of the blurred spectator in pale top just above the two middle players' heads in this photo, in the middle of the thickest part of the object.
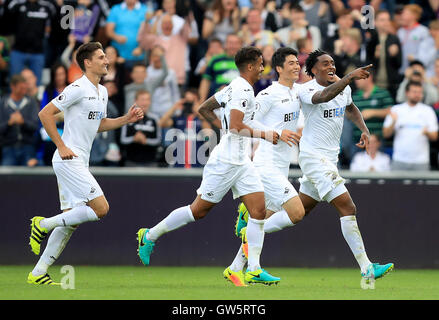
(253, 34)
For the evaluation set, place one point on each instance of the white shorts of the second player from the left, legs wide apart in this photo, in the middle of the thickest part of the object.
(219, 177)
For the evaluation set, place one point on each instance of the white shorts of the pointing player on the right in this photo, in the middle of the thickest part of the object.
(321, 180)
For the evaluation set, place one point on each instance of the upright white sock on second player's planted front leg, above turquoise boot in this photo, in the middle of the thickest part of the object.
(255, 240)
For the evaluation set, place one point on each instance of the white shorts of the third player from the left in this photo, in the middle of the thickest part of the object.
(277, 188)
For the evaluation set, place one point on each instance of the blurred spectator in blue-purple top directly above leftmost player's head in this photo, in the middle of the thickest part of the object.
(86, 17)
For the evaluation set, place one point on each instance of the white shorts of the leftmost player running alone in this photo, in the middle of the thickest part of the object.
(76, 185)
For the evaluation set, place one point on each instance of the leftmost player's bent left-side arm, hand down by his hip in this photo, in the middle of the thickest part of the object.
(48, 118)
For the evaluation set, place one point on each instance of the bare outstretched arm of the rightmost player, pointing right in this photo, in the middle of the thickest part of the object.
(331, 91)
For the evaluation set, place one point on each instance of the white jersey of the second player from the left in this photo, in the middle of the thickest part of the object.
(234, 148)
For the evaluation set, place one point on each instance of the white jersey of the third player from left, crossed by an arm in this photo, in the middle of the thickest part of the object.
(277, 107)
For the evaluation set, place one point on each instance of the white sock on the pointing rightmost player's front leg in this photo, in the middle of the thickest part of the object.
(352, 235)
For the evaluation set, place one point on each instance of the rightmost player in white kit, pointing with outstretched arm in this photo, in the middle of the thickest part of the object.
(325, 102)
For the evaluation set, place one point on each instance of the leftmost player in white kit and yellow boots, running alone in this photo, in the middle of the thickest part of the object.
(84, 103)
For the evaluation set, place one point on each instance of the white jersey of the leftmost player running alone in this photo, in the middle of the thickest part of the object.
(84, 107)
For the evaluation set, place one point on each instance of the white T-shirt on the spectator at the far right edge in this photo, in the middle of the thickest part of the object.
(410, 144)
